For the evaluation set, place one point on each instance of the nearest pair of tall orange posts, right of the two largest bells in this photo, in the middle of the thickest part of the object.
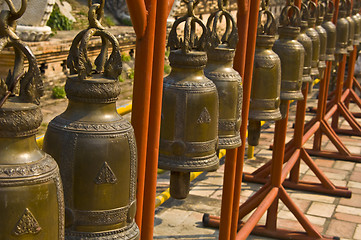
(149, 19)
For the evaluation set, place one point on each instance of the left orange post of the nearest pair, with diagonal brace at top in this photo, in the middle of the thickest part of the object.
(142, 86)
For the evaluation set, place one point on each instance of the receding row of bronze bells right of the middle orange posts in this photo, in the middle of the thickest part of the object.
(307, 38)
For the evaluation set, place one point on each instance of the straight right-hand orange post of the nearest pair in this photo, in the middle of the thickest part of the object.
(154, 120)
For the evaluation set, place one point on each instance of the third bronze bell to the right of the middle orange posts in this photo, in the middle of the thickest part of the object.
(306, 43)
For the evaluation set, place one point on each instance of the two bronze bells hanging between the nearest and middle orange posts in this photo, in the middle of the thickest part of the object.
(202, 98)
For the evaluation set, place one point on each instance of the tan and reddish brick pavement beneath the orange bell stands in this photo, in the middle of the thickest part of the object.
(332, 216)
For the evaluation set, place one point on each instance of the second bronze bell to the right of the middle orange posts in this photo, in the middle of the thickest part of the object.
(291, 53)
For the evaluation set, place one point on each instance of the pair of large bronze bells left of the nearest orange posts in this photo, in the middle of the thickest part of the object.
(93, 196)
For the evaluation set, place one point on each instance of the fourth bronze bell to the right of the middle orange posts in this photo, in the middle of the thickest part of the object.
(312, 33)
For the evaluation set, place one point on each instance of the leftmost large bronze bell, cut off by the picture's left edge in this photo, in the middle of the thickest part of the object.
(30, 184)
